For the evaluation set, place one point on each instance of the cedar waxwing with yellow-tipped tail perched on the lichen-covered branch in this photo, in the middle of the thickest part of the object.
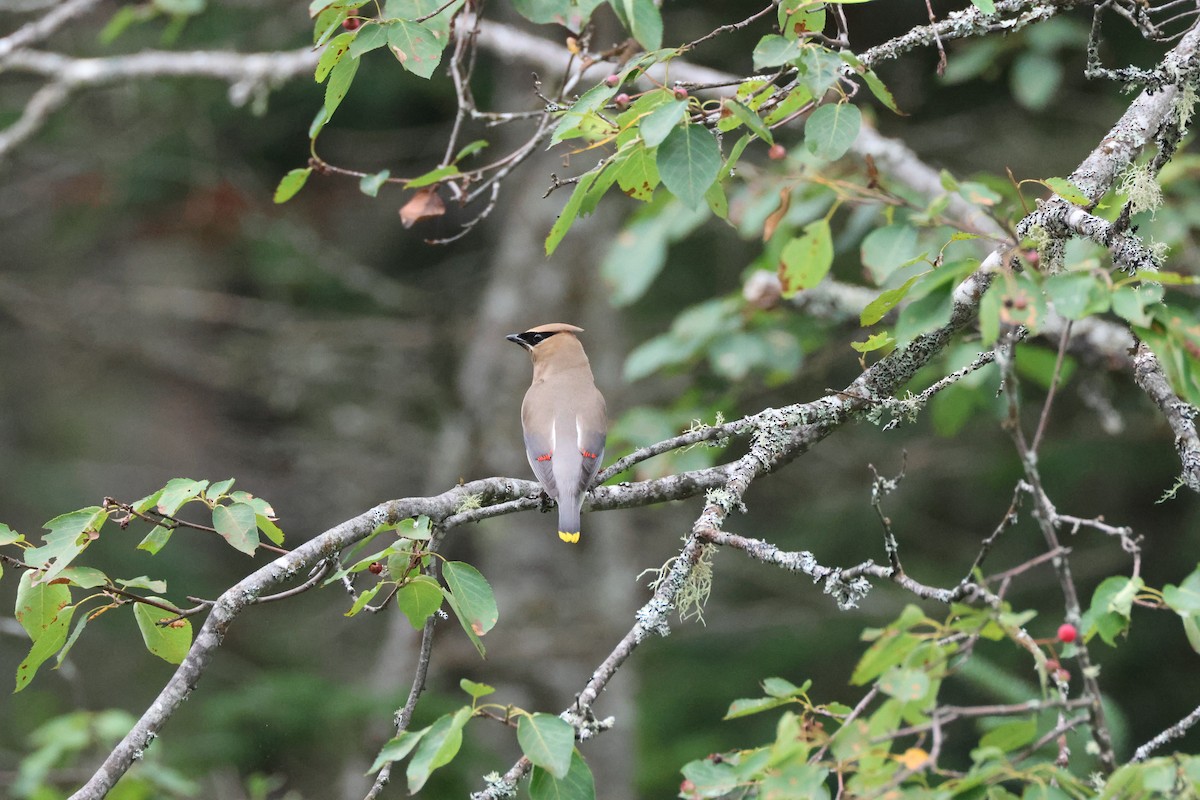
(565, 420)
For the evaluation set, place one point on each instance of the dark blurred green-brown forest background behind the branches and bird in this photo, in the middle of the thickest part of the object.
(160, 317)
